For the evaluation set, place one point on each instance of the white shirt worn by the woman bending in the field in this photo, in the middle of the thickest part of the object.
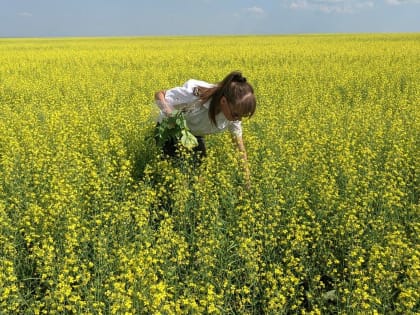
(197, 114)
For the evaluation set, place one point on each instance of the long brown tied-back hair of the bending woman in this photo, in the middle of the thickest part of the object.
(238, 92)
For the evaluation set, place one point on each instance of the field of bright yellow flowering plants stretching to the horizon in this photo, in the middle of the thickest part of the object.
(92, 221)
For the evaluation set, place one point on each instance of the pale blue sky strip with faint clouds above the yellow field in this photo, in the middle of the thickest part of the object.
(58, 18)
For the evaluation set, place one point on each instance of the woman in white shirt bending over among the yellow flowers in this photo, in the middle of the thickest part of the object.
(211, 108)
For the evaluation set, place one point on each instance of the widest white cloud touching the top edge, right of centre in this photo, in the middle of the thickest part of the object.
(332, 6)
